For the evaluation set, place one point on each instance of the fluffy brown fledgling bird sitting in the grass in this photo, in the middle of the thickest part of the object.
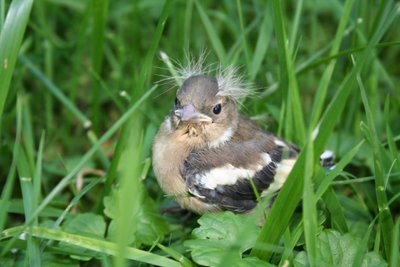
(210, 157)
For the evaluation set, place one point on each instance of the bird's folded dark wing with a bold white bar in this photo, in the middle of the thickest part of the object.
(233, 175)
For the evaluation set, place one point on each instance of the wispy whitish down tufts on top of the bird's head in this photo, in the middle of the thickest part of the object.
(230, 83)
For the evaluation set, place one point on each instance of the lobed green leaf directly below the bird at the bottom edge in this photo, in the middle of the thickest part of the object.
(221, 237)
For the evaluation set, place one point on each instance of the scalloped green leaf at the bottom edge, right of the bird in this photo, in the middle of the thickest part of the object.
(335, 249)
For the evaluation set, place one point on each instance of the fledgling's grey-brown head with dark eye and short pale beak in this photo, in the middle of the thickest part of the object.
(203, 112)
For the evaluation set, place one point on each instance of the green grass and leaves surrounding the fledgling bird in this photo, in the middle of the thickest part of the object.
(81, 98)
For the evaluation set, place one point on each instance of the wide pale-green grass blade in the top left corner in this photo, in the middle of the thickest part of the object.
(11, 36)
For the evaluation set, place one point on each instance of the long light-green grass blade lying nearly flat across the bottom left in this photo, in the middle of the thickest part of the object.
(93, 244)
